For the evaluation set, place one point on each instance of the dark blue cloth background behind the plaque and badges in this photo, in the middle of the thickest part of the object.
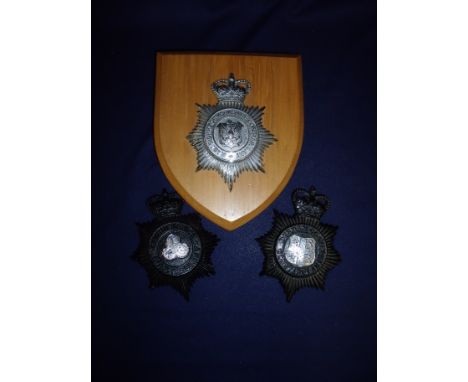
(237, 326)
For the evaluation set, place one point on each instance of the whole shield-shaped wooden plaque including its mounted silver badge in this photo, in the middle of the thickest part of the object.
(228, 143)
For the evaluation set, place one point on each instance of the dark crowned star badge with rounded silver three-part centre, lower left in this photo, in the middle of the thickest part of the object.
(174, 249)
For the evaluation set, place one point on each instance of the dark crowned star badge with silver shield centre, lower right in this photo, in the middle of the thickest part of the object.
(299, 248)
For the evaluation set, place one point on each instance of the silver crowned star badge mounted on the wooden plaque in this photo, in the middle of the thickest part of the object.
(229, 137)
